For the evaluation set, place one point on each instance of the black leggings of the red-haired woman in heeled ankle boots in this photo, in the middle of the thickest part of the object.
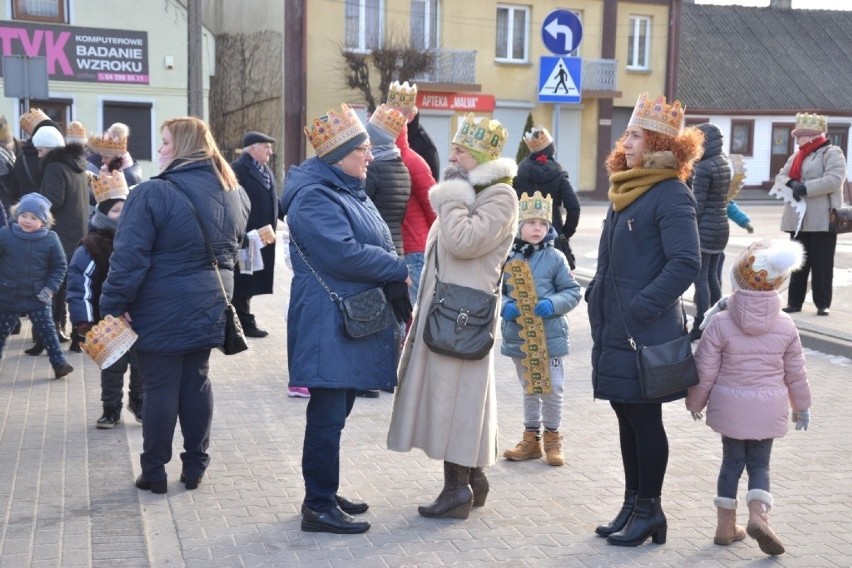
(644, 447)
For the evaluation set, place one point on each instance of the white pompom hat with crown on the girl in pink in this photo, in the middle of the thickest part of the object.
(765, 265)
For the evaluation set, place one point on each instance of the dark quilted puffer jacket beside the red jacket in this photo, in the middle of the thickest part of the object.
(389, 187)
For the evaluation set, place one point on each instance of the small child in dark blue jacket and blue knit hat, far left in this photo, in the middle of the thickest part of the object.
(32, 267)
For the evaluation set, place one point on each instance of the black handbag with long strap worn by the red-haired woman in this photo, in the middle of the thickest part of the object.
(665, 368)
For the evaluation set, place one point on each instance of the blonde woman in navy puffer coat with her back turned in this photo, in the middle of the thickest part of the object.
(161, 278)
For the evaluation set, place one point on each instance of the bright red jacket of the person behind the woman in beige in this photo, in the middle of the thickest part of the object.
(419, 214)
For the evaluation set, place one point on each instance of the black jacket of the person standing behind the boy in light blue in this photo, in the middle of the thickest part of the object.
(540, 172)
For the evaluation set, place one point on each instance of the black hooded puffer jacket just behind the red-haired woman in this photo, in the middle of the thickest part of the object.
(711, 178)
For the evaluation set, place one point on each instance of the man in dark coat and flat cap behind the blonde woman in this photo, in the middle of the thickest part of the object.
(258, 181)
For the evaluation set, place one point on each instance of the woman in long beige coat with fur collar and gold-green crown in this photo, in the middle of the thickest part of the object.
(447, 406)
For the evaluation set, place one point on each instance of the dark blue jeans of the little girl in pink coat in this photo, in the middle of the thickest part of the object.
(738, 455)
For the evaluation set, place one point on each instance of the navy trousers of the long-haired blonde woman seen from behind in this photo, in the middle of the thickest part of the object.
(176, 387)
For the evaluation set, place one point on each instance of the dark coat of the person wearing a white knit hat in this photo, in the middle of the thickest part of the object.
(65, 183)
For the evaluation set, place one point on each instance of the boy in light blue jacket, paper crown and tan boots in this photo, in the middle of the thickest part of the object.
(558, 293)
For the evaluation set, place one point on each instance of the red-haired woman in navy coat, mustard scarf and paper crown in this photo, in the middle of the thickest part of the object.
(649, 255)
